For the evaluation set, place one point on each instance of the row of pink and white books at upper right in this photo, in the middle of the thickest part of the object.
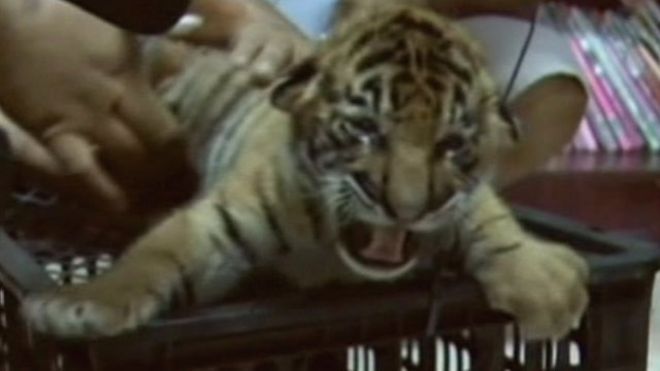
(619, 53)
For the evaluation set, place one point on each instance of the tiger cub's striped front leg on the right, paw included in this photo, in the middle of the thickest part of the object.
(542, 284)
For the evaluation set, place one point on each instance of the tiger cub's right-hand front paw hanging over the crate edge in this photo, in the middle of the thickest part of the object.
(543, 285)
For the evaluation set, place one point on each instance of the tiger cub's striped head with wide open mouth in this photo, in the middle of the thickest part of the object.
(399, 121)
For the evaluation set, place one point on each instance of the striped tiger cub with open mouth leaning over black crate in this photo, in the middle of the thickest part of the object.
(361, 164)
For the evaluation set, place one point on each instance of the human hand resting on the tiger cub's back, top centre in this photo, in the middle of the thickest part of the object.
(255, 33)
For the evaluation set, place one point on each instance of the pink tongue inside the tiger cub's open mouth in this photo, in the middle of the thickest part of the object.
(386, 245)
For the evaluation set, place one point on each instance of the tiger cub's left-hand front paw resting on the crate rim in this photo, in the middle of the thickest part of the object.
(92, 310)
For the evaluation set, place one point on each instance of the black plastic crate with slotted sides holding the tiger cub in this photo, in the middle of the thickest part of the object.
(371, 327)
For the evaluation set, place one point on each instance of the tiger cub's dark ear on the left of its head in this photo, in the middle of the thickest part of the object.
(289, 93)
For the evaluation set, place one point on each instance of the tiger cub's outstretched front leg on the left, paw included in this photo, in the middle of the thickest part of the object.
(178, 256)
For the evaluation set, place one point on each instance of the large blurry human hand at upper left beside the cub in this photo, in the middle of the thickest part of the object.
(79, 114)
